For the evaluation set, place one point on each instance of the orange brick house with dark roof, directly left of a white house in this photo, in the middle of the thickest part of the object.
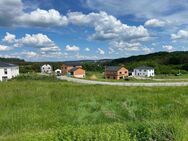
(115, 72)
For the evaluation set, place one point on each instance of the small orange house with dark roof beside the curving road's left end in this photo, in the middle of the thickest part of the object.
(77, 72)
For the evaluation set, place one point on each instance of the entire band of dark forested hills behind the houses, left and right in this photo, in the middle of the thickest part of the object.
(163, 62)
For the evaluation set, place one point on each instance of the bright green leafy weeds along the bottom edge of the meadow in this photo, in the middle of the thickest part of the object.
(113, 132)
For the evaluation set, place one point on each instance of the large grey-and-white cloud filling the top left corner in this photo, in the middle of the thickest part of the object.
(12, 13)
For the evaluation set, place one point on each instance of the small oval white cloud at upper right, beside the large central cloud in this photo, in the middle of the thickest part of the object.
(155, 23)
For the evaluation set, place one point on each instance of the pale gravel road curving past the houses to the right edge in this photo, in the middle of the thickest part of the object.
(151, 84)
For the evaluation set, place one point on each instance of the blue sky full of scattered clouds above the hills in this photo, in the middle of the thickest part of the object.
(59, 30)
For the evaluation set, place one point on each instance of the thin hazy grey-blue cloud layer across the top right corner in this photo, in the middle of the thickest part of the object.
(144, 9)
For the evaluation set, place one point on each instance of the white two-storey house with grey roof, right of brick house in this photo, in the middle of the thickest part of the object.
(144, 71)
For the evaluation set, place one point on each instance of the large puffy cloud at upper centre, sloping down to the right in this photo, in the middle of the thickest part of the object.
(107, 27)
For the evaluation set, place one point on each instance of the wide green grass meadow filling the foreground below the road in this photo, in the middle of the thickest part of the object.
(47, 109)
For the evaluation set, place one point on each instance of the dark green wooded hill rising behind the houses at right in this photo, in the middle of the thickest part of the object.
(163, 62)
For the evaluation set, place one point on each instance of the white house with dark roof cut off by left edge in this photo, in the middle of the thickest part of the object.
(8, 71)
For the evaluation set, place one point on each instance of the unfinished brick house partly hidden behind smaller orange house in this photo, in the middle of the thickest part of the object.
(67, 66)
